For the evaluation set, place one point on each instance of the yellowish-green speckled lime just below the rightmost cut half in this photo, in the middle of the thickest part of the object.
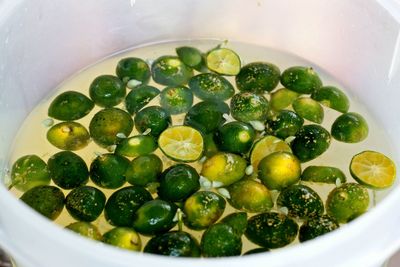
(347, 202)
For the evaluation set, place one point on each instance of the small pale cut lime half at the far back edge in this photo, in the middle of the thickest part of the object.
(223, 61)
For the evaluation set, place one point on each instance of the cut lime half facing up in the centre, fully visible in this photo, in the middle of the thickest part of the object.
(181, 143)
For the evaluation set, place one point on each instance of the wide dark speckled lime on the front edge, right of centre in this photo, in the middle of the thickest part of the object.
(271, 230)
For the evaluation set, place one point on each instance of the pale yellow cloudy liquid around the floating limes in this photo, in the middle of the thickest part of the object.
(31, 138)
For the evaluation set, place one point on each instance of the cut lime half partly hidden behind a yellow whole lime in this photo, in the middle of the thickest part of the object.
(266, 146)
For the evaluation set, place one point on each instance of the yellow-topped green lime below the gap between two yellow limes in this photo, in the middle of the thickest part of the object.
(250, 196)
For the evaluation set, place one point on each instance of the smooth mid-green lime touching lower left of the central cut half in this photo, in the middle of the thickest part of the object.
(144, 169)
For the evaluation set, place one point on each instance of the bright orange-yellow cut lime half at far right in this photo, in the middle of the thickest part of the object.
(373, 169)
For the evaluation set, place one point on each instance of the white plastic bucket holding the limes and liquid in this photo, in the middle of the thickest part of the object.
(42, 42)
